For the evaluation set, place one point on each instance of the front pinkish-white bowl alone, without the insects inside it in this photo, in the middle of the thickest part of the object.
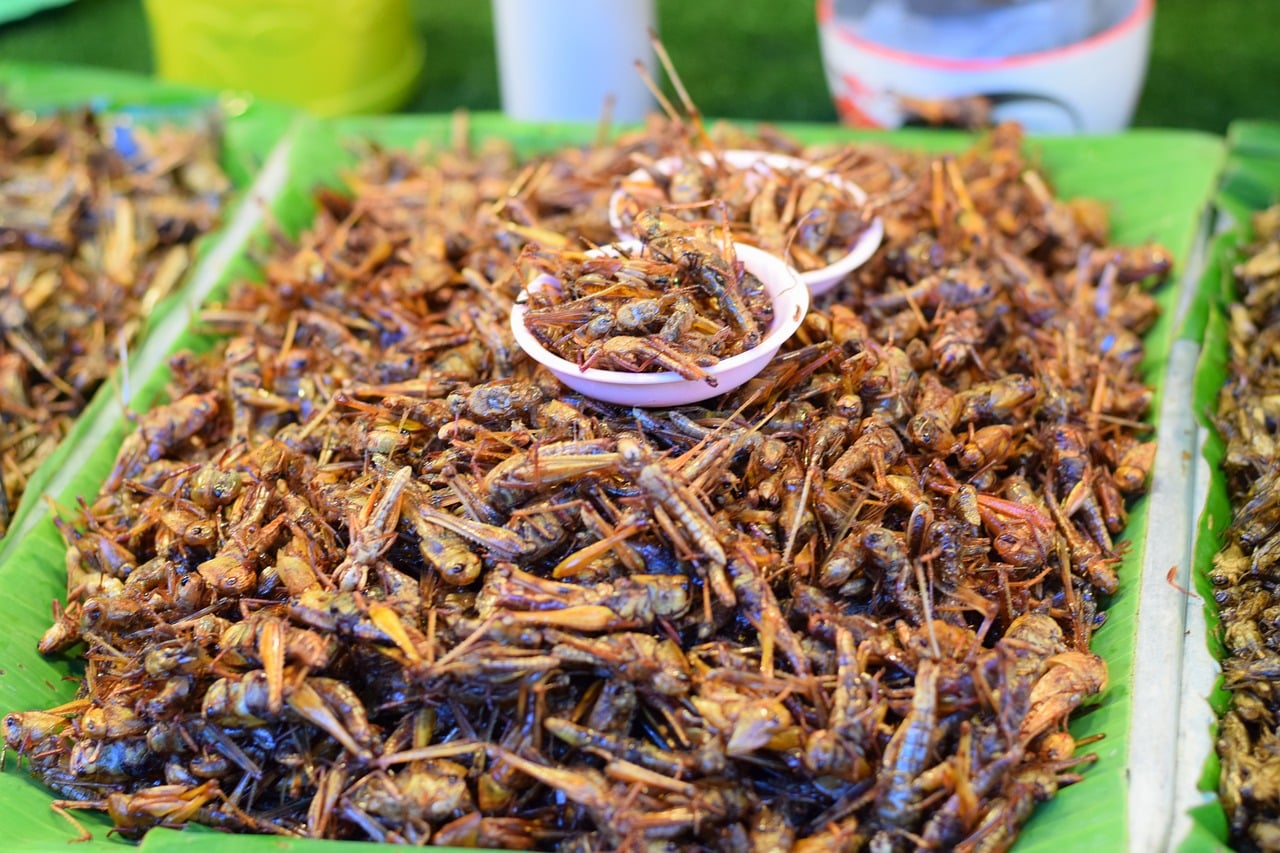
(790, 304)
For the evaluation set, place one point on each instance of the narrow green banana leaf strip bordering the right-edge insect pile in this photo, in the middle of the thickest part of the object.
(1251, 181)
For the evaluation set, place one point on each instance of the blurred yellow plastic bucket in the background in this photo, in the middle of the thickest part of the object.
(331, 57)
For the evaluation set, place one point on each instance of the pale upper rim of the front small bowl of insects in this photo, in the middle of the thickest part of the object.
(781, 330)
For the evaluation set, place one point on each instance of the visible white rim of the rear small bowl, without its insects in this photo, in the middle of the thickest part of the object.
(820, 281)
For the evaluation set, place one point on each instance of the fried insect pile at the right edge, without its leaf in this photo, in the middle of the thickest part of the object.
(1246, 569)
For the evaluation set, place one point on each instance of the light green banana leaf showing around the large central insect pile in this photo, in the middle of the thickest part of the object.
(1158, 185)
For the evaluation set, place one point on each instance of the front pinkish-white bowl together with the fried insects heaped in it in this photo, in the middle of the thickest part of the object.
(665, 322)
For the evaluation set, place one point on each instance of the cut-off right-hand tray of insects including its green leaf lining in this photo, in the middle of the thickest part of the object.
(1235, 669)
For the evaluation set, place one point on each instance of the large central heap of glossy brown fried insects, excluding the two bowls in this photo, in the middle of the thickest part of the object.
(374, 574)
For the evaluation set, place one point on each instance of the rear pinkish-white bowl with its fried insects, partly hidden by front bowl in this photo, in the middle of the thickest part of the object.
(801, 212)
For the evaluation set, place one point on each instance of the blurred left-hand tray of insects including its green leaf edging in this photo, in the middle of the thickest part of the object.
(108, 203)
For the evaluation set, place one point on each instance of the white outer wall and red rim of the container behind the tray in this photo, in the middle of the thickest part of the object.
(1089, 86)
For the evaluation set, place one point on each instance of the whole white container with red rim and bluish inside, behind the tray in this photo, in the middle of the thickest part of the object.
(877, 69)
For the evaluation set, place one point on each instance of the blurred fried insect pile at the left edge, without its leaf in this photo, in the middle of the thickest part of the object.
(98, 218)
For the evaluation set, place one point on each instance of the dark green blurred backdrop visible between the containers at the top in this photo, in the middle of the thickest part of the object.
(760, 60)
